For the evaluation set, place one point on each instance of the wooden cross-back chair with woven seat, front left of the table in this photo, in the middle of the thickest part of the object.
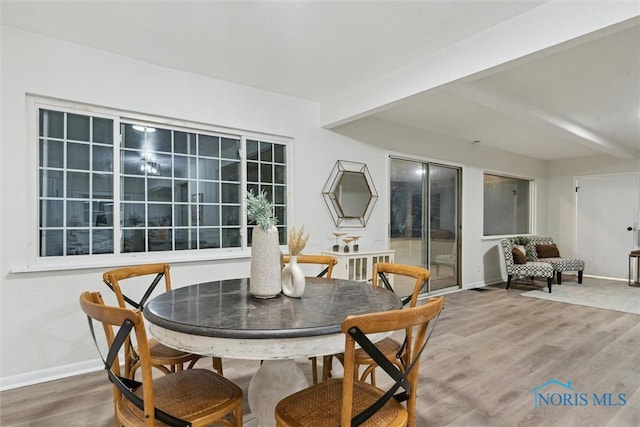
(192, 397)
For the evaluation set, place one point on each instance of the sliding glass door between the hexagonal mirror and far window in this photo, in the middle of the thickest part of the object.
(424, 221)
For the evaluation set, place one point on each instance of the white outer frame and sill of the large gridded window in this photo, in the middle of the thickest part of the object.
(36, 262)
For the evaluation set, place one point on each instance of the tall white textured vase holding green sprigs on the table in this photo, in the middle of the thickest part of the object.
(265, 279)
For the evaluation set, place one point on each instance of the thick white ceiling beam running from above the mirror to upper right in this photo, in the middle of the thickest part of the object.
(548, 25)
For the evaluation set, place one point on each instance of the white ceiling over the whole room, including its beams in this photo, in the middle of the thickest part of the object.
(571, 99)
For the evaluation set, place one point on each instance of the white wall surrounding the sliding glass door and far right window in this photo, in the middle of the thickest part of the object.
(481, 261)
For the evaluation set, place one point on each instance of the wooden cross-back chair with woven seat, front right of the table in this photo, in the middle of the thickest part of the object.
(350, 402)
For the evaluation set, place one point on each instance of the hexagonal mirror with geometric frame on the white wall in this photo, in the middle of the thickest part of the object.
(350, 194)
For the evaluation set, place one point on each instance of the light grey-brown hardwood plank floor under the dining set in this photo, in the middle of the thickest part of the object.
(490, 349)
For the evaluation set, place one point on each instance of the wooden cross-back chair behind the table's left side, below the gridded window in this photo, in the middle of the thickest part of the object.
(163, 358)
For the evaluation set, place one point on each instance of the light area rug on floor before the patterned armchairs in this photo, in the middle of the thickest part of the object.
(610, 296)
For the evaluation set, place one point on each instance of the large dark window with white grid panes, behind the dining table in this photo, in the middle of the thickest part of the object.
(114, 185)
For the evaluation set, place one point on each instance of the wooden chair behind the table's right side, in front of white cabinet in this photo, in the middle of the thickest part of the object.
(391, 348)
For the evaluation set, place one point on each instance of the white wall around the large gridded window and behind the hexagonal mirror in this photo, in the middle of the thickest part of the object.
(43, 331)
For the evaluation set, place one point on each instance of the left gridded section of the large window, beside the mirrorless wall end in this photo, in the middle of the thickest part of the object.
(75, 184)
